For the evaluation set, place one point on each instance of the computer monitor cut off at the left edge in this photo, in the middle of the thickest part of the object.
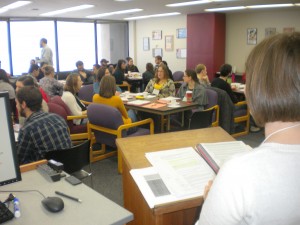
(9, 165)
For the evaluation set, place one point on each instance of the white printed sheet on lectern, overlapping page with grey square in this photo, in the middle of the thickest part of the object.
(183, 170)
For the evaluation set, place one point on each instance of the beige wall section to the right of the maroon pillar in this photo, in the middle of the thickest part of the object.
(237, 49)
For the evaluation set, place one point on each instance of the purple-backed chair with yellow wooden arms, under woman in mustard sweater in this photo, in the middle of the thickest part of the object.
(105, 125)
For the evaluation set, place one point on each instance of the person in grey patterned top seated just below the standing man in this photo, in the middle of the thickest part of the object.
(51, 86)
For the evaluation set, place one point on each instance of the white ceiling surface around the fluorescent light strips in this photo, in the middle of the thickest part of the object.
(149, 7)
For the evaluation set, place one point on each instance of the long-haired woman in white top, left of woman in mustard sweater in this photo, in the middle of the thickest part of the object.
(71, 88)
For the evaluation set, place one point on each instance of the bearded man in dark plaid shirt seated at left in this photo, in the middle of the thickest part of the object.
(42, 131)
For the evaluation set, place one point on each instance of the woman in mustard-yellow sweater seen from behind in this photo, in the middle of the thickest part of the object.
(107, 96)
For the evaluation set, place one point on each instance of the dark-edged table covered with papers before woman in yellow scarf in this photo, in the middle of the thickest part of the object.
(164, 111)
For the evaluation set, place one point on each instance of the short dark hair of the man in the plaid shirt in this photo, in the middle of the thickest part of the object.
(31, 96)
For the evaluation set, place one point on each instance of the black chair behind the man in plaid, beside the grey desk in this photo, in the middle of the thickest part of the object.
(74, 159)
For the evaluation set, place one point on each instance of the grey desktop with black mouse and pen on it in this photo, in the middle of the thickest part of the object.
(94, 209)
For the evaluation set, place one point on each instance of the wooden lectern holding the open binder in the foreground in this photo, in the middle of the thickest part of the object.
(133, 153)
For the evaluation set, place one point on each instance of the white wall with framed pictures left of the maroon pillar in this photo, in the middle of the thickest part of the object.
(144, 28)
